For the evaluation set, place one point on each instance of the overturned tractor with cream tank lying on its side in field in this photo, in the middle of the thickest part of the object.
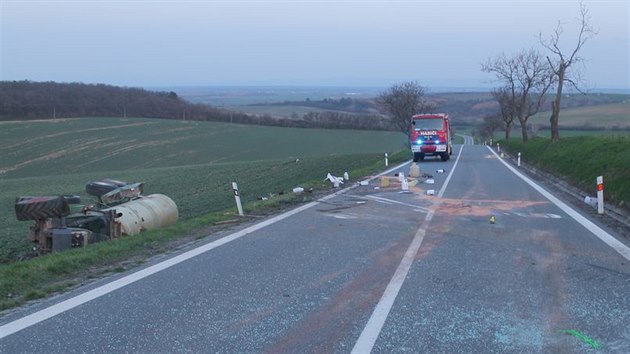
(120, 210)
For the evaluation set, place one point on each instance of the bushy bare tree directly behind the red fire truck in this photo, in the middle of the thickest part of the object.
(402, 101)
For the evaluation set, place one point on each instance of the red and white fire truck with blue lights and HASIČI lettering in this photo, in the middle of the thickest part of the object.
(430, 136)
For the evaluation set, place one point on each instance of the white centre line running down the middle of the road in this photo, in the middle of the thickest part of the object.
(373, 328)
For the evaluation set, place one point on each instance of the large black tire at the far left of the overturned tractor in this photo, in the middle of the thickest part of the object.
(37, 208)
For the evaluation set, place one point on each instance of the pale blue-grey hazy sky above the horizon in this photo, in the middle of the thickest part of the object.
(301, 43)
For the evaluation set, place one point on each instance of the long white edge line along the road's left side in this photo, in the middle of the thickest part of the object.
(54, 310)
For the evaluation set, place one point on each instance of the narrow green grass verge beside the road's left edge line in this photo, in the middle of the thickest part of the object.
(39, 277)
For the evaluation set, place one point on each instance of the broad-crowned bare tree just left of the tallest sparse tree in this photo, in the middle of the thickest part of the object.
(526, 79)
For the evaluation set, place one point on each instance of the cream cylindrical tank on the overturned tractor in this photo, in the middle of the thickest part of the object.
(146, 213)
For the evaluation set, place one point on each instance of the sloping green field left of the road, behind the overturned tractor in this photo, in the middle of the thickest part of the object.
(192, 162)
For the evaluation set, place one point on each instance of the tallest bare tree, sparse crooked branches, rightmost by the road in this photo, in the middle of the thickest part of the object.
(562, 63)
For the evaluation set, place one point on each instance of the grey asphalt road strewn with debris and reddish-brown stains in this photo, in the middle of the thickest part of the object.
(488, 264)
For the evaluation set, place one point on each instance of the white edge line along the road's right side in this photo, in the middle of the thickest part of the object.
(589, 225)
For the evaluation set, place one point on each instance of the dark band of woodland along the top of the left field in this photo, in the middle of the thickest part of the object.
(26, 100)
